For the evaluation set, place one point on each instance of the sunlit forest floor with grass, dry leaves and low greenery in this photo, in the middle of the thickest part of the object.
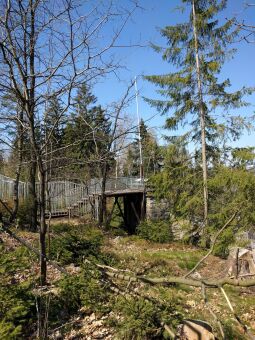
(92, 309)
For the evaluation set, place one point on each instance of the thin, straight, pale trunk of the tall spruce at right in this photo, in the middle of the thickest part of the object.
(202, 118)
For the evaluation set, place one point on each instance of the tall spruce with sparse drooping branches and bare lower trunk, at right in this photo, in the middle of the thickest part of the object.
(198, 50)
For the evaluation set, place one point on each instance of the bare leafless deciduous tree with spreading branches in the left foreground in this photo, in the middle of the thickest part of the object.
(47, 49)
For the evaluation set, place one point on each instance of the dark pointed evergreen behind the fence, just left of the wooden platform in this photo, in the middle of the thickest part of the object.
(87, 133)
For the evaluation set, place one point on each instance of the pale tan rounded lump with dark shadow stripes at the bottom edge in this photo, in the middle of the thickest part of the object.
(195, 330)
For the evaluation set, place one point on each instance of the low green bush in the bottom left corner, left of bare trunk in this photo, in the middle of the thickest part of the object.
(17, 303)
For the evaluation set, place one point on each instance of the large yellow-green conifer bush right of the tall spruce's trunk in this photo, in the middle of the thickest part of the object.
(231, 190)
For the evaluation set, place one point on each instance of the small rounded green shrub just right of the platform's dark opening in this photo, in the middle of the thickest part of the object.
(156, 231)
